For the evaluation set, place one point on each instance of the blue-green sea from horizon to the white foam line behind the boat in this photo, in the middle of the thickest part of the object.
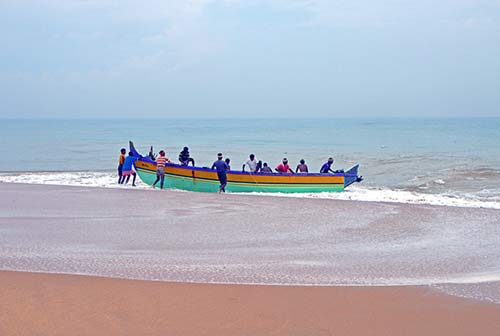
(452, 162)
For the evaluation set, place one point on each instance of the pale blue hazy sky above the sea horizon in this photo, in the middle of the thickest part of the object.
(249, 59)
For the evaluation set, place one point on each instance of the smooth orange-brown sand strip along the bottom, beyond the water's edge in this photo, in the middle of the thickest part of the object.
(54, 304)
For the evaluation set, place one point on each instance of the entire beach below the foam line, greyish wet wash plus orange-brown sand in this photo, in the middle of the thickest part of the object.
(236, 240)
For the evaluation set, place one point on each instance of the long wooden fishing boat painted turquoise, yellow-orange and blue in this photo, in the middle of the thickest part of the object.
(205, 179)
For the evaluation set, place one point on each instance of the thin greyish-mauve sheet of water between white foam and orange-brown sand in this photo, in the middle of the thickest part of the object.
(247, 239)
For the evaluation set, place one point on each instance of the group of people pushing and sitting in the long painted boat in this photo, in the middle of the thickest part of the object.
(221, 165)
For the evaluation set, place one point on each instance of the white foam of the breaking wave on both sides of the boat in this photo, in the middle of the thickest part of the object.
(354, 193)
